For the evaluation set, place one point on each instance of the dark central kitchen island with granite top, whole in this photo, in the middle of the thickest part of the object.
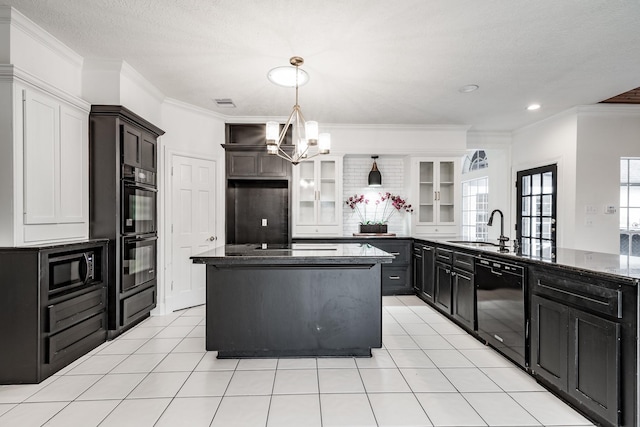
(302, 300)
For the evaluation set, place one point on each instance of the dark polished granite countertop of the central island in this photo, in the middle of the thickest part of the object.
(297, 253)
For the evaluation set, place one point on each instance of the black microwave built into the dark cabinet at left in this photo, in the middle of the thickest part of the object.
(71, 270)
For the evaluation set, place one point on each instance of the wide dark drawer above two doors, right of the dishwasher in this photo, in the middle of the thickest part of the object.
(581, 292)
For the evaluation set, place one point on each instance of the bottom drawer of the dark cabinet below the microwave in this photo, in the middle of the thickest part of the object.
(77, 340)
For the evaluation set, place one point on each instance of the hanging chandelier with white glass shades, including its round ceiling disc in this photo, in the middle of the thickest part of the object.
(307, 143)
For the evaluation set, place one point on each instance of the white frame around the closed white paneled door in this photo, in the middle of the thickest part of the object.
(165, 201)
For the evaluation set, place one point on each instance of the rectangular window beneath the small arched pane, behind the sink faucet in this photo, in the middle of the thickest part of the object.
(475, 209)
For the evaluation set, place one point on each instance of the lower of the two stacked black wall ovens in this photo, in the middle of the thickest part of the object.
(138, 260)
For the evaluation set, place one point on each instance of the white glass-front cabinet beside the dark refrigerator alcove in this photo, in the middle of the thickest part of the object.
(317, 197)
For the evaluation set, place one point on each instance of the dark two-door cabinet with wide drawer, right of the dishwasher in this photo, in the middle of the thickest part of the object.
(578, 345)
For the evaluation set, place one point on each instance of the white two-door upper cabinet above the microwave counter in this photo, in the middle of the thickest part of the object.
(50, 186)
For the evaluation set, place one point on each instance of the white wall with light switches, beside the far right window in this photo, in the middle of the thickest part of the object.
(605, 134)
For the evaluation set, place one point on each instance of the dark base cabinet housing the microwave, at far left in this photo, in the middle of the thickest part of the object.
(52, 307)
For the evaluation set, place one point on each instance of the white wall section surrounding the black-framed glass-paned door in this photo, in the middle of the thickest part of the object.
(550, 141)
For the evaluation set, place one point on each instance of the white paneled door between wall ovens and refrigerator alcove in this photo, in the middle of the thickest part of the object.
(194, 228)
